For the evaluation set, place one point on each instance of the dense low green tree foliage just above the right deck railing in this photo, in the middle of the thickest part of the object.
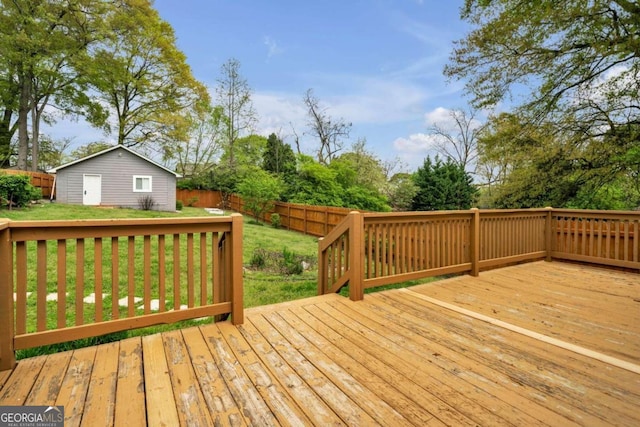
(535, 166)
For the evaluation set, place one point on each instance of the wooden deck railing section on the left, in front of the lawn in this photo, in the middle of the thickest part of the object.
(67, 280)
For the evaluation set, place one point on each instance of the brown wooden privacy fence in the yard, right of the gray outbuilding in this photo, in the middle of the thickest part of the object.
(312, 220)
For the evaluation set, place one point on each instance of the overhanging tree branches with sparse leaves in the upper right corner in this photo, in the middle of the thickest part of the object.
(564, 53)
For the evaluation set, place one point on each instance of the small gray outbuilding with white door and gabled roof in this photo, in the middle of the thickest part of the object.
(117, 176)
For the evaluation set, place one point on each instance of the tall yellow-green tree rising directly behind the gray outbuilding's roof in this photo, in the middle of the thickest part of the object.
(143, 77)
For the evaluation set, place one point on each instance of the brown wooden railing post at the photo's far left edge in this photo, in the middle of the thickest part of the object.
(7, 355)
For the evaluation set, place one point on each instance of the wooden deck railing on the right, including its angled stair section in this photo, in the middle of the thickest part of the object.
(373, 249)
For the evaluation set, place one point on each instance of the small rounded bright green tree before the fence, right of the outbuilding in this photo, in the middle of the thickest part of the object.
(260, 190)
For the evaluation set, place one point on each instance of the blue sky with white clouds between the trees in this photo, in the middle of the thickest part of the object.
(375, 63)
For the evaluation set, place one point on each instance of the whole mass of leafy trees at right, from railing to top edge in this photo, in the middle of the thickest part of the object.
(573, 70)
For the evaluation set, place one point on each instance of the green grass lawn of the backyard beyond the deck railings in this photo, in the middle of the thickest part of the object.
(267, 285)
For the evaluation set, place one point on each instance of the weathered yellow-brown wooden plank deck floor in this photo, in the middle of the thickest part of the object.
(542, 344)
